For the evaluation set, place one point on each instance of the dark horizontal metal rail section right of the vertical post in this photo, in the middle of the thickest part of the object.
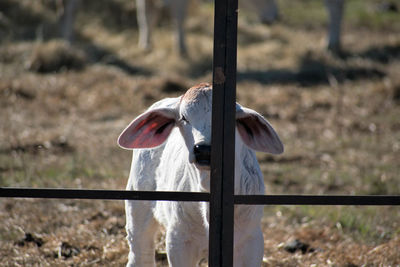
(334, 200)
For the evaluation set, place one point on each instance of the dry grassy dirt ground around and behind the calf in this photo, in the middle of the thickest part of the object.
(62, 107)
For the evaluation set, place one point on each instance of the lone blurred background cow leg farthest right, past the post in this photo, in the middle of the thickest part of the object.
(335, 11)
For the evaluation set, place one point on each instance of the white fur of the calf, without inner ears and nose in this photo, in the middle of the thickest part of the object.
(171, 167)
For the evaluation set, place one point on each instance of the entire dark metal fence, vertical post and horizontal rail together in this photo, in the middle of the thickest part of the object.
(221, 196)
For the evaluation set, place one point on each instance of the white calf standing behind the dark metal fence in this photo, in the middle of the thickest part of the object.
(173, 141)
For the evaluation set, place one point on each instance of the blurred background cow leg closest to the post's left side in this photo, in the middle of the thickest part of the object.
(178, 10)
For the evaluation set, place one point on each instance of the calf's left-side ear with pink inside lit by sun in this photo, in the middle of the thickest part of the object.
(149, 130)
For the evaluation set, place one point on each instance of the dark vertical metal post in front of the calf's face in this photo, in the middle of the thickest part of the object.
(223, 134)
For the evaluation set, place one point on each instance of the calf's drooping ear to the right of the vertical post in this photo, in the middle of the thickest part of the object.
(256, 132)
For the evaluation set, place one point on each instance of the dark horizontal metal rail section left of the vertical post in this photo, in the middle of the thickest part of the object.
(102, 194)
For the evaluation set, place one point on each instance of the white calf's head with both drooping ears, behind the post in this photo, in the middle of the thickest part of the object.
(192, 115)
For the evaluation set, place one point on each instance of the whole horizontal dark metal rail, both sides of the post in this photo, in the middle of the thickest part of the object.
(333, 200)
